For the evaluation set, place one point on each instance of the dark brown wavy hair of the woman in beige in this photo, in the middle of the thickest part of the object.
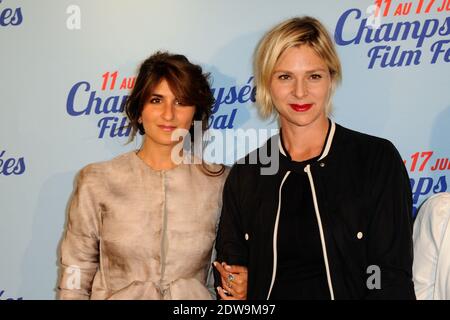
(186, 80)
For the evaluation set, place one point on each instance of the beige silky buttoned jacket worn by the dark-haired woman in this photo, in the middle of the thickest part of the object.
(137, 233)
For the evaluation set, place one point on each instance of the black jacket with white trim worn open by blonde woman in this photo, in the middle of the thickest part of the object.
(363, 206)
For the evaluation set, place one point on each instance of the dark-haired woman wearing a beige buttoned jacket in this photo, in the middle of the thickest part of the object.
(142, 226)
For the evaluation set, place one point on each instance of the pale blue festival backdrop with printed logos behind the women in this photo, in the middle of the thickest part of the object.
(67, 66)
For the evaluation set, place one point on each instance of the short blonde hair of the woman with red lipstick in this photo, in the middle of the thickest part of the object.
(291, 33)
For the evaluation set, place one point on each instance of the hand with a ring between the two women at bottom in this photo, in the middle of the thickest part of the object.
(234, 281)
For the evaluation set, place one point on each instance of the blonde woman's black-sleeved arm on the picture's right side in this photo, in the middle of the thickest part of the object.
(390, 245)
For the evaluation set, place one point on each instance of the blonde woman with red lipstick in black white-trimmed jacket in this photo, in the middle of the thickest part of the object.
(335, 220)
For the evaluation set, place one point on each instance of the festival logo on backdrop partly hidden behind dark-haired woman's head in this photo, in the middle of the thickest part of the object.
(84, 99)
